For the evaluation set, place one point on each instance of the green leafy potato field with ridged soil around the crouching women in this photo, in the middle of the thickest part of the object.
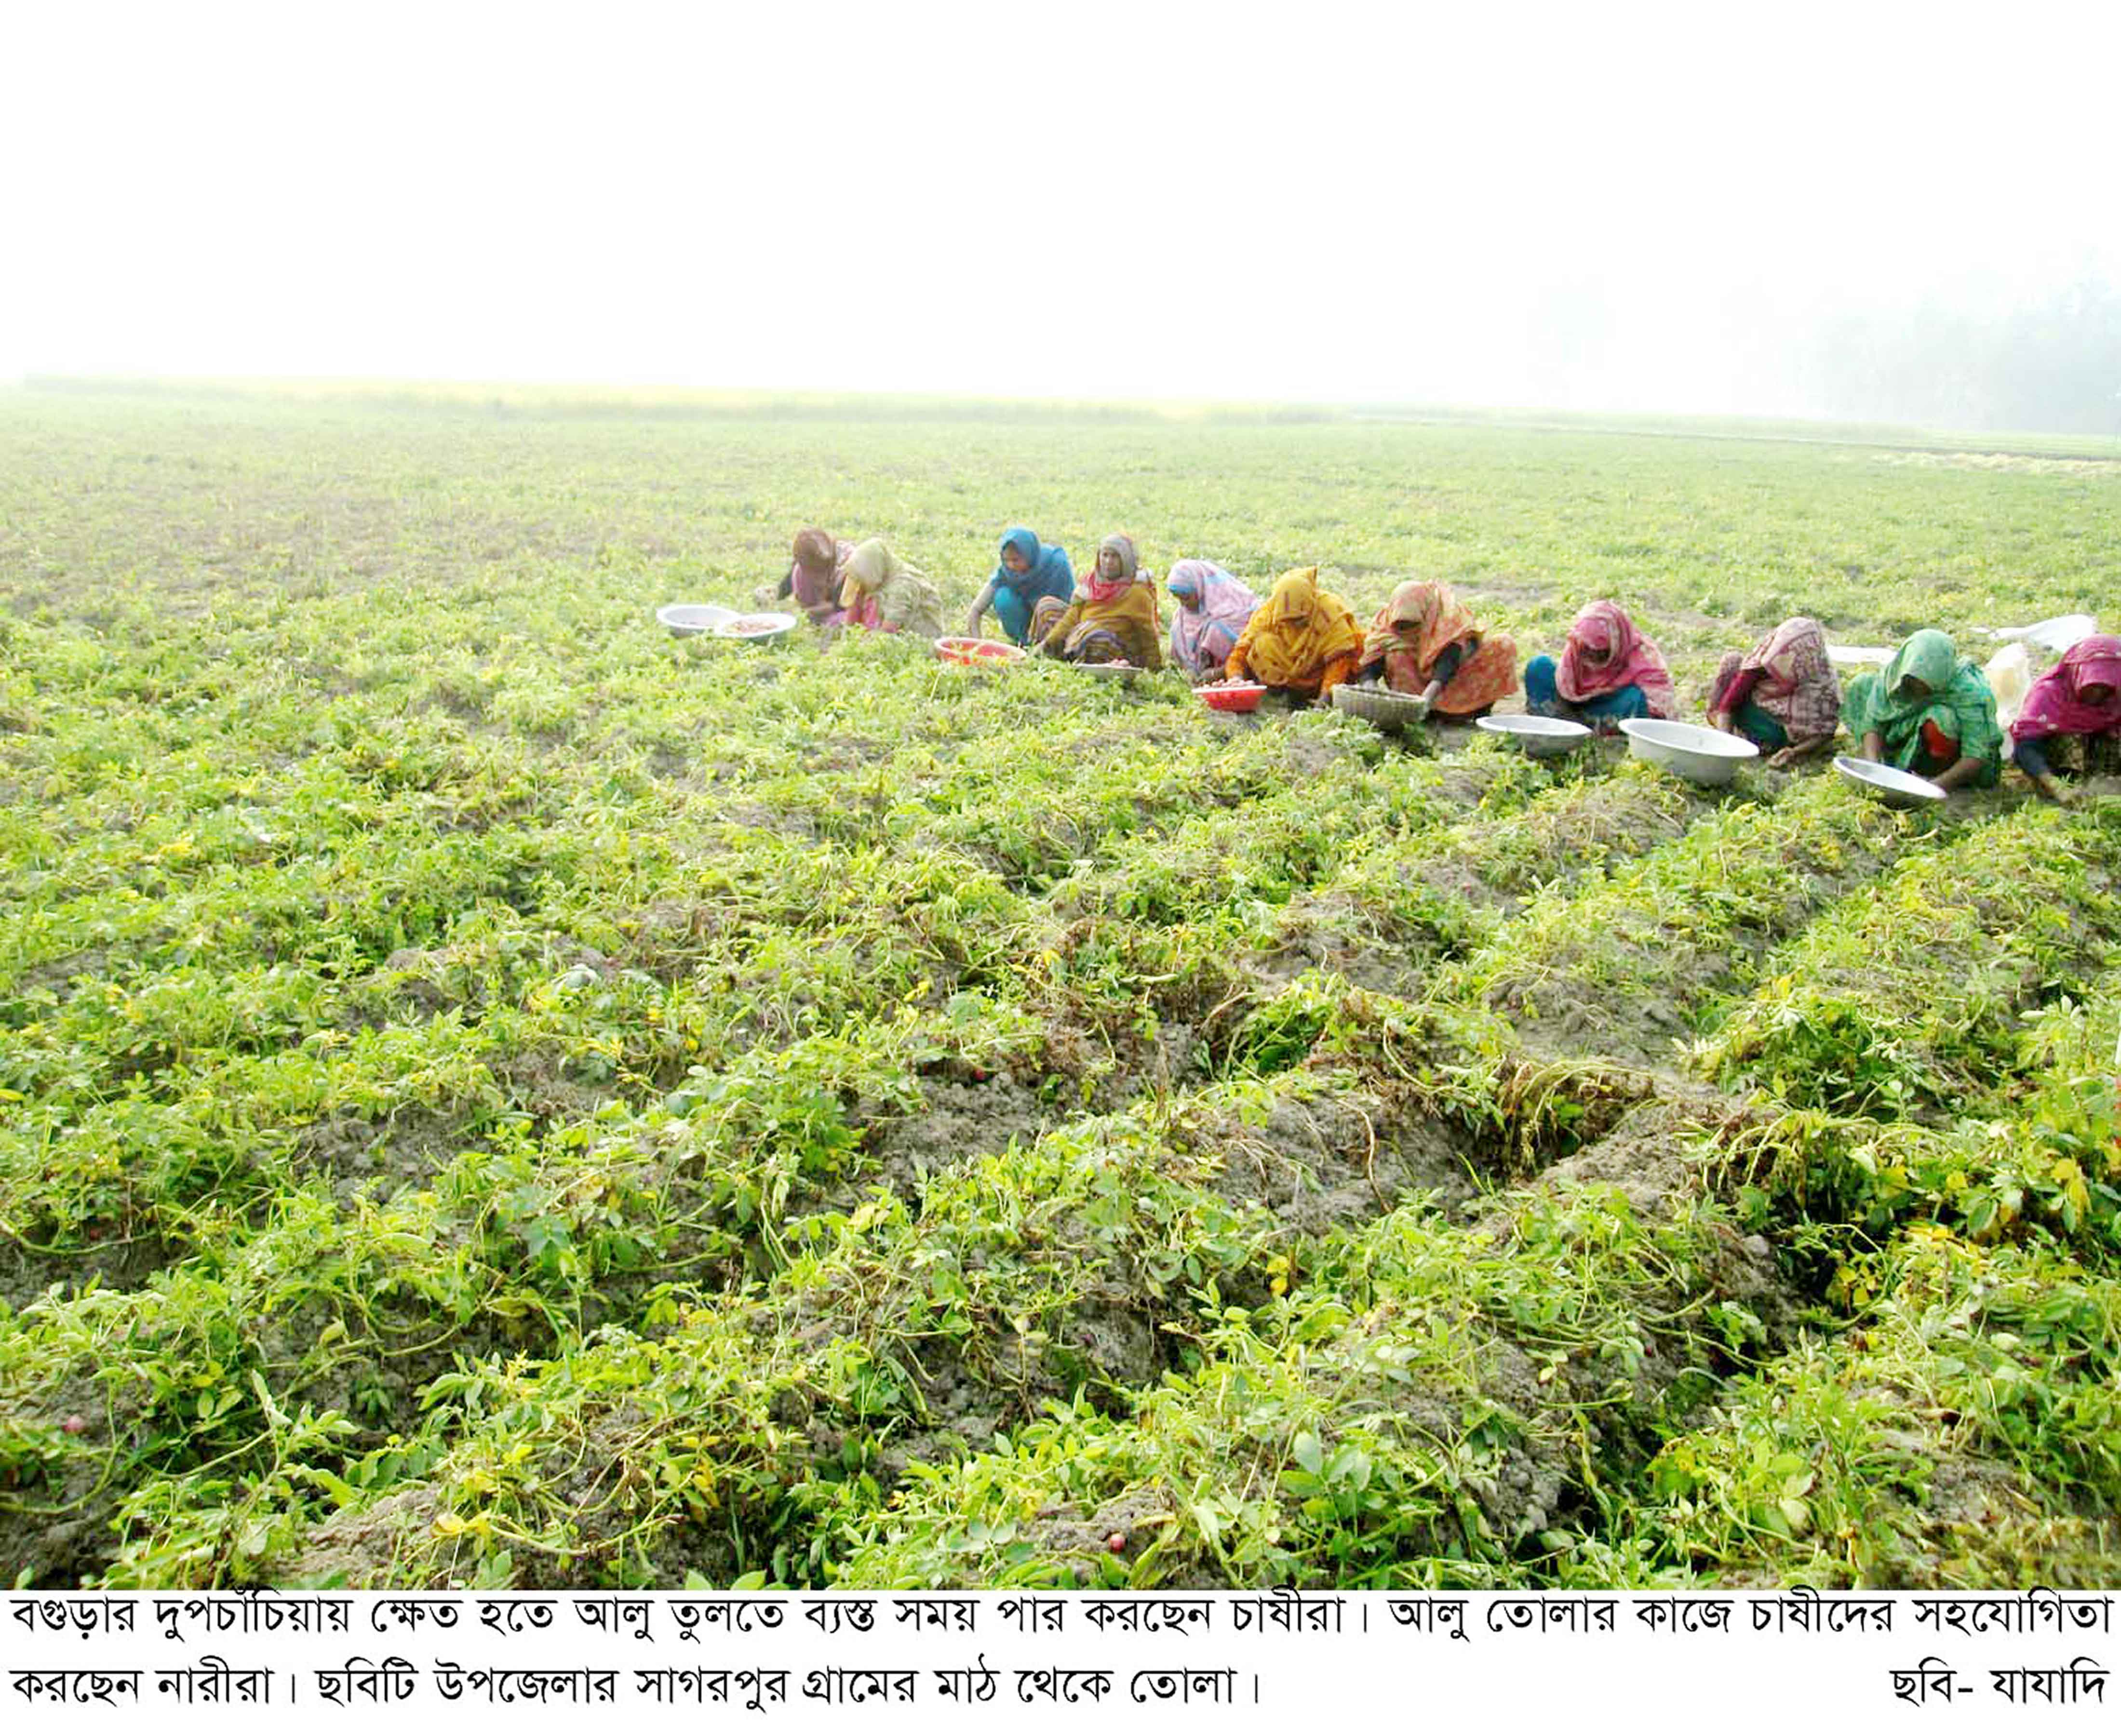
(493, 1095)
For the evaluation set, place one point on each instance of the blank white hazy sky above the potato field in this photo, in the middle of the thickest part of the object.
(1484, 202)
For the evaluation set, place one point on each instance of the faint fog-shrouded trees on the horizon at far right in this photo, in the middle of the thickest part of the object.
(2052, 368)
